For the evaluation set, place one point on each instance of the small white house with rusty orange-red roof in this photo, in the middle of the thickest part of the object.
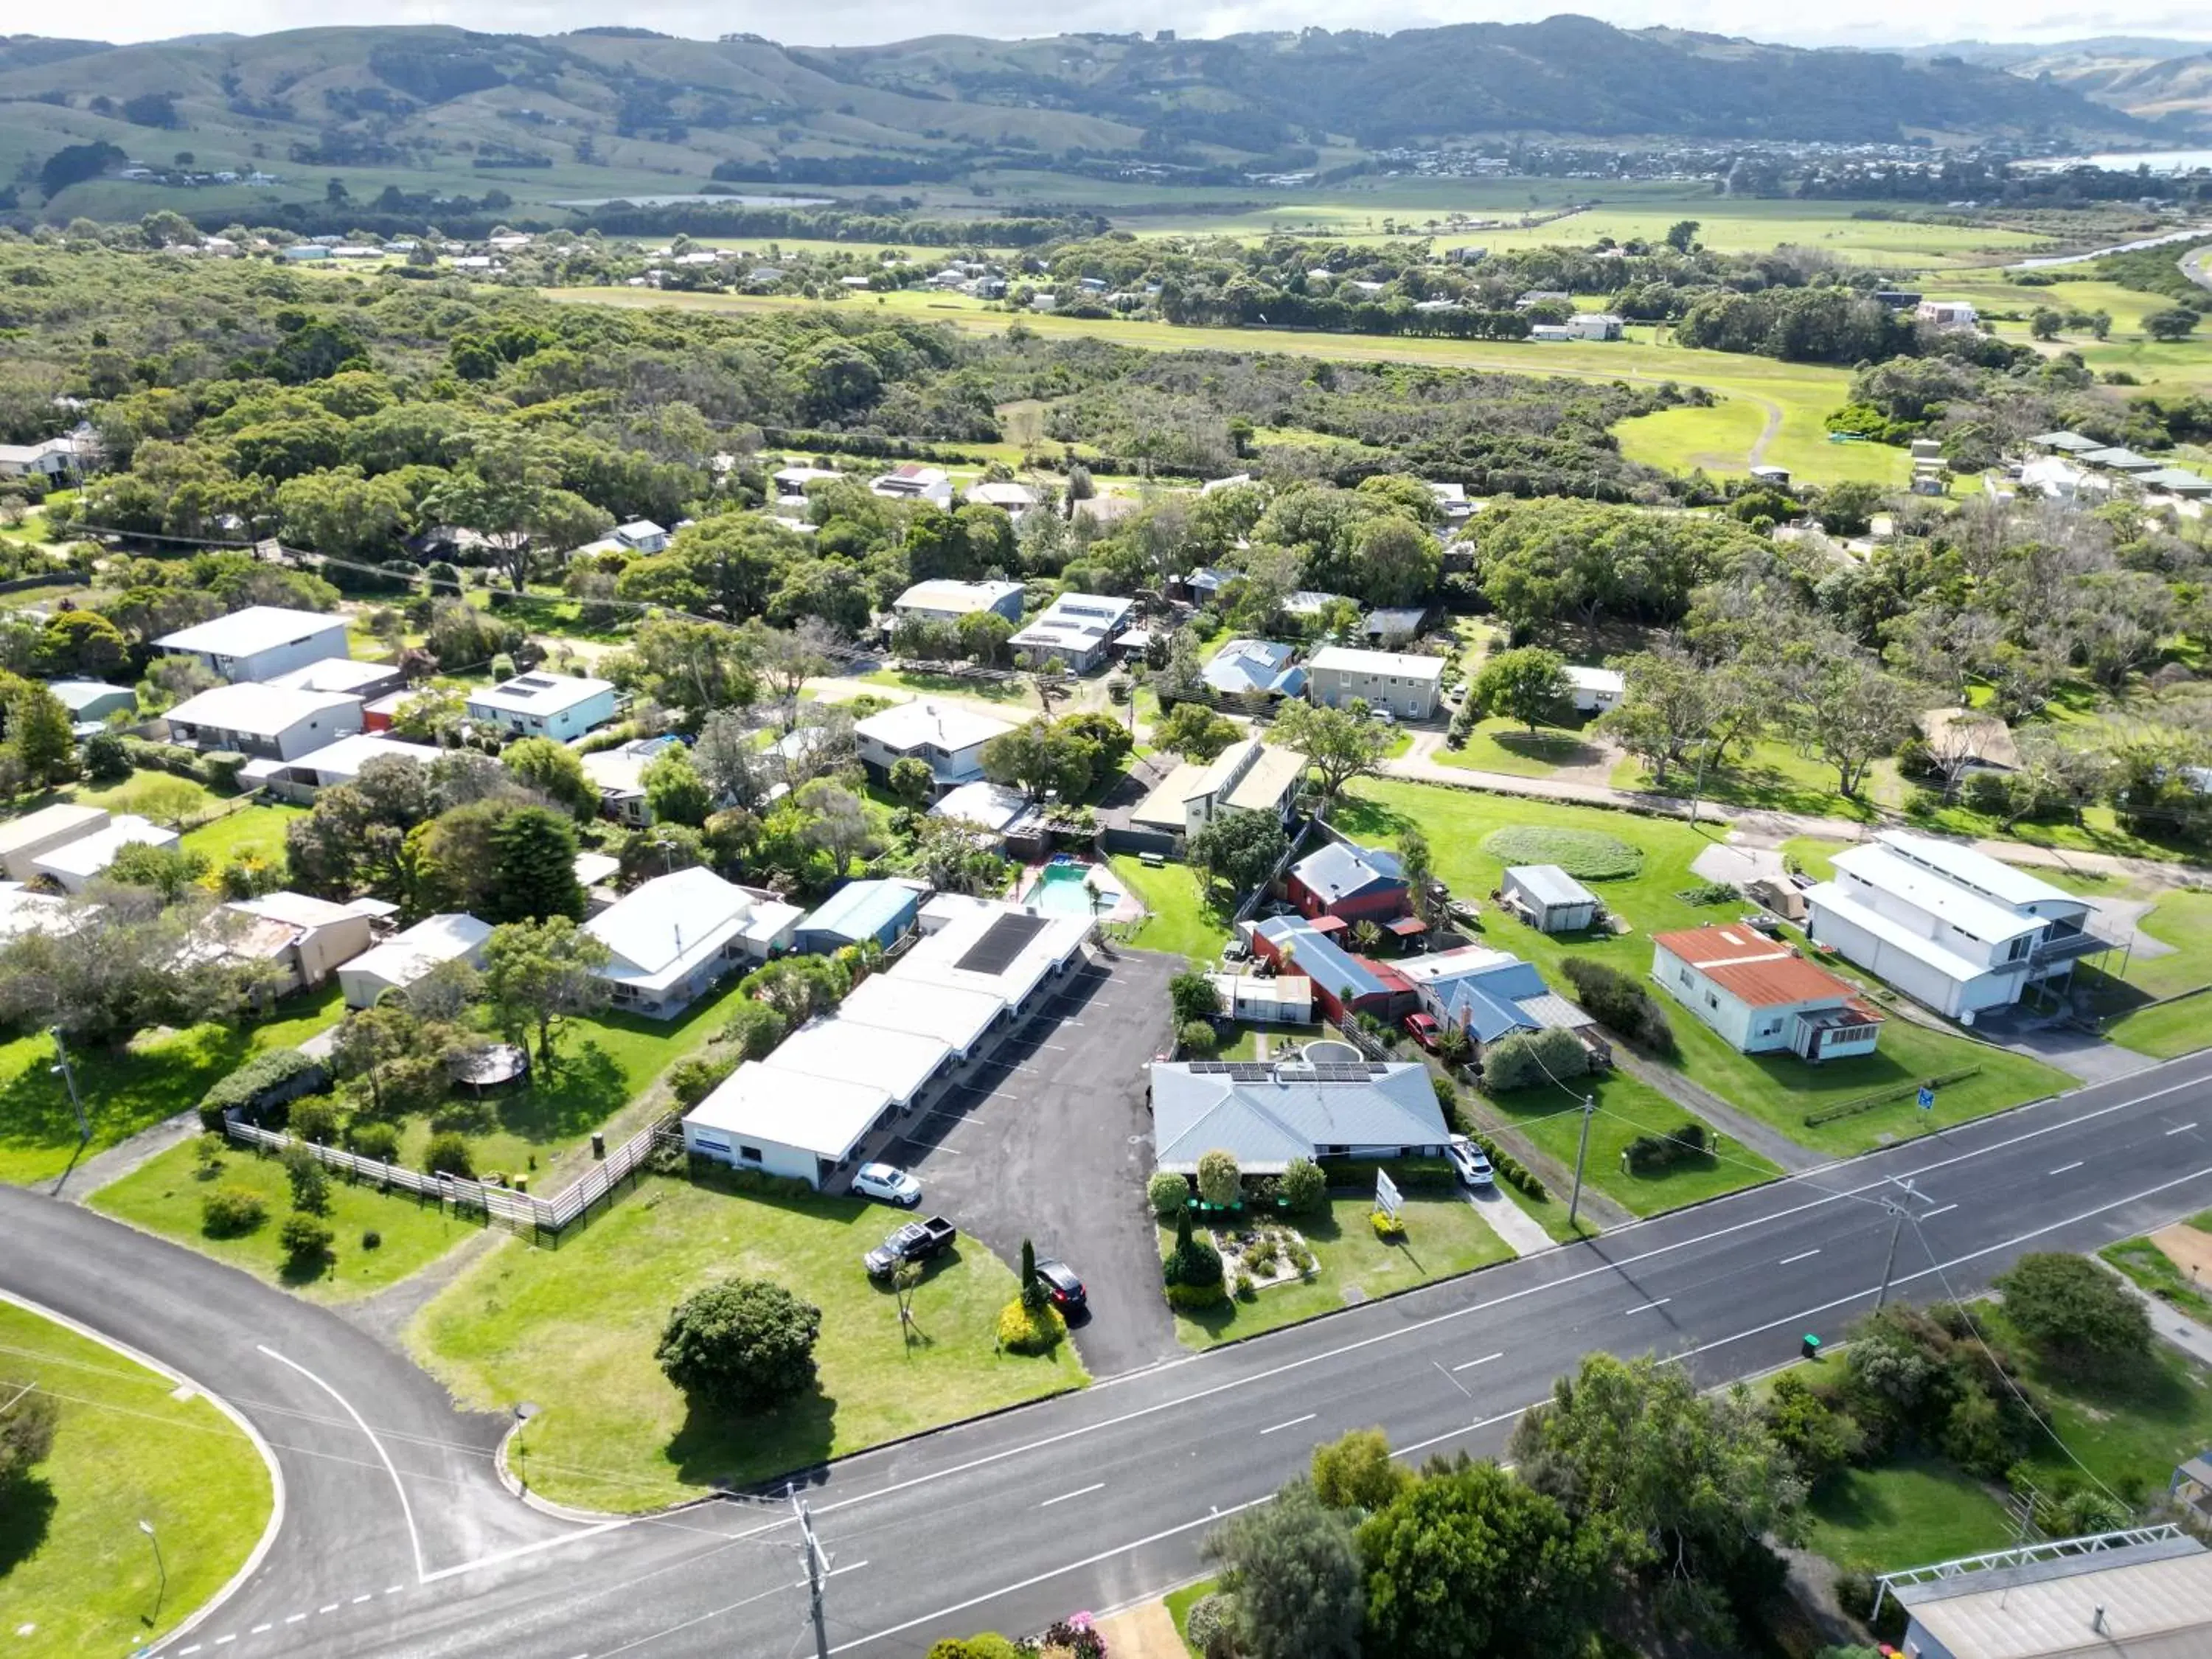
(1762, 994)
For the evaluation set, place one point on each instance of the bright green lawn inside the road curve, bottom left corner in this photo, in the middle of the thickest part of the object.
(76, 1572)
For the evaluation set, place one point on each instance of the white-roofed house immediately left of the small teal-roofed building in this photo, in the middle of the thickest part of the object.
(676, 937)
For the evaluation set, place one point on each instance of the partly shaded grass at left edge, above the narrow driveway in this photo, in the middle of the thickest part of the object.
(125, 1089)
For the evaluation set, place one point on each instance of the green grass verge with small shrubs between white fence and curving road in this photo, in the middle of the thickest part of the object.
(165, 1198)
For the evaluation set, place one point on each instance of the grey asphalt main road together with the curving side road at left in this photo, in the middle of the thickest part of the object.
(1096, 1499)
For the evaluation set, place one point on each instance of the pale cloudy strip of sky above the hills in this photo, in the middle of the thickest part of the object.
(851, 23)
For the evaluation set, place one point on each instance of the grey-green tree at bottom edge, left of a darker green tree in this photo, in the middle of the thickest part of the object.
(1295, 1578)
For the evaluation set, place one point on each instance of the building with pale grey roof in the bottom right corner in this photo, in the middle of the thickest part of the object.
(2142, 1594)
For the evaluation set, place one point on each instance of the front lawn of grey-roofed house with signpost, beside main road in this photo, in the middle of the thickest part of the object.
(1443, 1238)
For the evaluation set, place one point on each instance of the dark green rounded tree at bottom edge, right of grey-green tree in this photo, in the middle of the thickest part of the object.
(1474, 1563)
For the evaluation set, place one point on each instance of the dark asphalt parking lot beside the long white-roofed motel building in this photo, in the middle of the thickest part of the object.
(1052, 1140)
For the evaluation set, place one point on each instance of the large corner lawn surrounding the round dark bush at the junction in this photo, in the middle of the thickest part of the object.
(574, 1331)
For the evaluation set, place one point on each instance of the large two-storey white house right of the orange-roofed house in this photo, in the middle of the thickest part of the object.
(1948, 926)
